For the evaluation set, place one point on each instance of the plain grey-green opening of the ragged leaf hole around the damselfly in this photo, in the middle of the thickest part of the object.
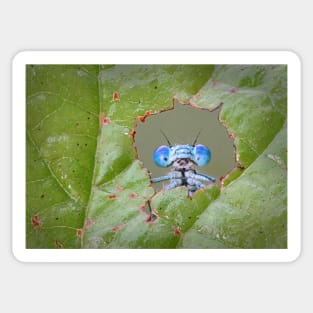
(181, 125)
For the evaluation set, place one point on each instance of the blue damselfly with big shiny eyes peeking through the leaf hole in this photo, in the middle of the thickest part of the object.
(183, 158)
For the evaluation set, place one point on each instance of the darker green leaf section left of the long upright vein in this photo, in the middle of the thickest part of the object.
(62, 126)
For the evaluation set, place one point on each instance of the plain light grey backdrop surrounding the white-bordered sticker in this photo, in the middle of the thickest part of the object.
(158, 25)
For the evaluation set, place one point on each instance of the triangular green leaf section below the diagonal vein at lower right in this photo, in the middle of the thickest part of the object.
(256, 220)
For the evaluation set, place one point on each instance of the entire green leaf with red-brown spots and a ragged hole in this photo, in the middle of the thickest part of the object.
(86, 187)
